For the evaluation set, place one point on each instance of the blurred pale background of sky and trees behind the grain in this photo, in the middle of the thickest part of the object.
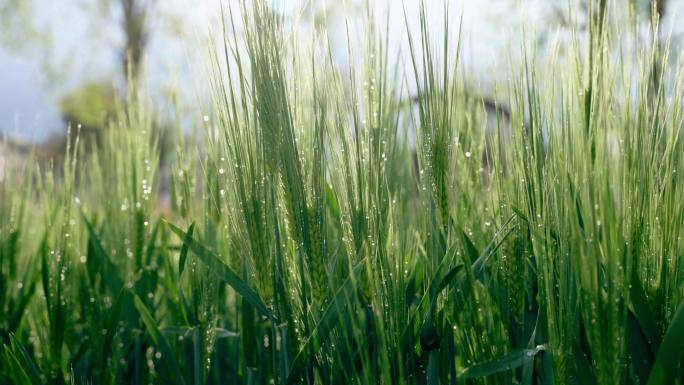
(68, 61)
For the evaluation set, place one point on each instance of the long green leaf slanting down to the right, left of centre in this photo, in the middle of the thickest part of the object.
(224, 272)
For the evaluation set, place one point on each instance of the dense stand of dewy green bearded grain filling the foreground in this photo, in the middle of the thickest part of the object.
(306, 242)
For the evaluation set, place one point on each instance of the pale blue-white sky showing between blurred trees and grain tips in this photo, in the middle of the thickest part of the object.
(85, 48)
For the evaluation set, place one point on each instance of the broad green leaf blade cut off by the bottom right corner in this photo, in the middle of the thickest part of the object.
(670, 353)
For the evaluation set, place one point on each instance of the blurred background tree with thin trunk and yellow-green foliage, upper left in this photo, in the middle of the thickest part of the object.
(92, 102)
